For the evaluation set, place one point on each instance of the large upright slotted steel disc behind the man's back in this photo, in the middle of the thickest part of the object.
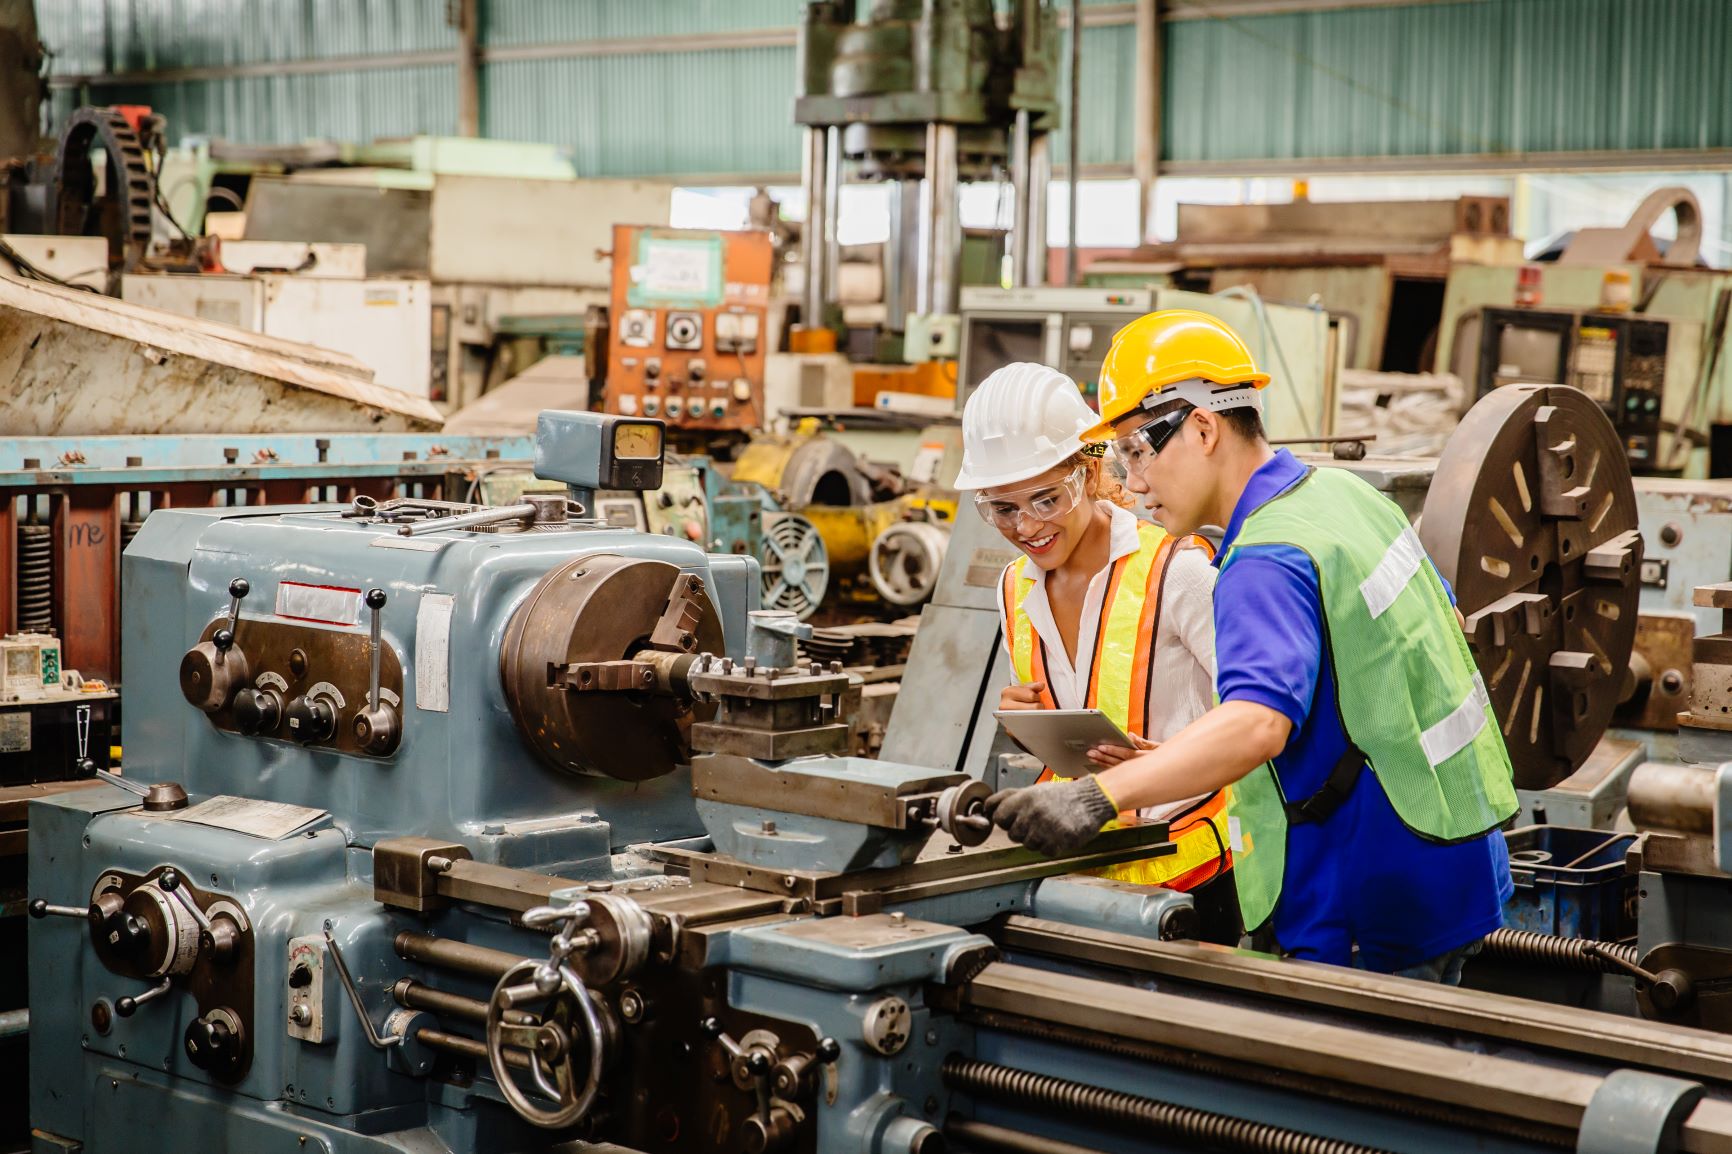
(1532, 517)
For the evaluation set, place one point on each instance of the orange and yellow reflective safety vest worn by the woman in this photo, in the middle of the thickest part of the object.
(1118, 685)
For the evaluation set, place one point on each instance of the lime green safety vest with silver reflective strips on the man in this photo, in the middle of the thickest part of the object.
(1406, 680)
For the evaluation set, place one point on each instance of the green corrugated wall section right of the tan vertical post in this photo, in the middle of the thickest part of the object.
(1490, 77)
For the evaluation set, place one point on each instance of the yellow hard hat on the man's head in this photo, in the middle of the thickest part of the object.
(1165, 349)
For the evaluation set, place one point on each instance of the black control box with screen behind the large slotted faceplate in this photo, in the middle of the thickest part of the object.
(1620, 361)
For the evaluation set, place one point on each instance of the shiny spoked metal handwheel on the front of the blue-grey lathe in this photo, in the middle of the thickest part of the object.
(546, 1046)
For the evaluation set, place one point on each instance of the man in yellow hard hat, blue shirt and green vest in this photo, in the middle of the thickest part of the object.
(1367, 767)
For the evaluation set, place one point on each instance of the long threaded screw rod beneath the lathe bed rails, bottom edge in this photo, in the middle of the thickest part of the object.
(1147, 1118)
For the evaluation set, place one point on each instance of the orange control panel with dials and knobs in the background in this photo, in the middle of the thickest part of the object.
(688, 327)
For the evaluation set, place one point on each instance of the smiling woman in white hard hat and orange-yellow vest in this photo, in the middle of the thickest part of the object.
(1101, 611)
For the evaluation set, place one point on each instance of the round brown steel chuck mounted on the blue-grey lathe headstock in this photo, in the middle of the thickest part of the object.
(600, 609)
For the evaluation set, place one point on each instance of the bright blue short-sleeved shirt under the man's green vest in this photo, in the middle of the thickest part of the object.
(1359, 879)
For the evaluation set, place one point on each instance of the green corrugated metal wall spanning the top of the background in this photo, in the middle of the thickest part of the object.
(1480, 81)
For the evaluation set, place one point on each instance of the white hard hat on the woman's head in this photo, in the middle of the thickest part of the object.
(1024, 420)
